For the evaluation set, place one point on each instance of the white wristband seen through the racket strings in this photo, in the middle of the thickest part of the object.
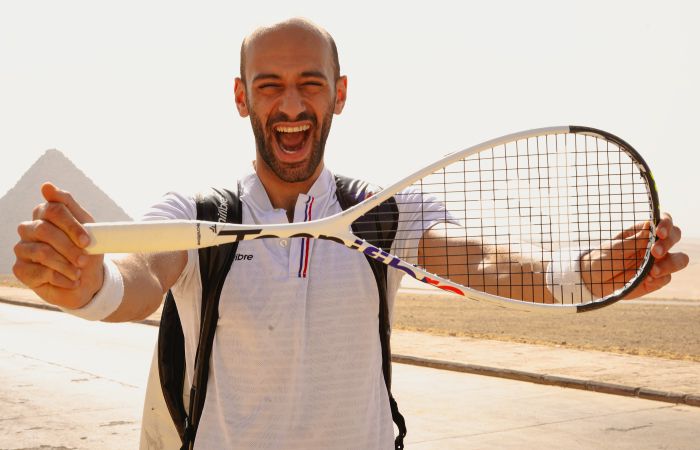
(564, 280)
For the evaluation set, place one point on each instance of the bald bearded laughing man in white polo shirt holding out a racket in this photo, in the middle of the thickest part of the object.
(296, 362)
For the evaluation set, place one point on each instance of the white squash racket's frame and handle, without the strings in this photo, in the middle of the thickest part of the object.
(337, 227)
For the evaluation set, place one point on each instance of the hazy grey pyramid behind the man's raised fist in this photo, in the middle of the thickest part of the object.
(17, 204)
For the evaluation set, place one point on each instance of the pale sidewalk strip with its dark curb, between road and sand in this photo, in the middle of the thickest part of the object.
(650, 378)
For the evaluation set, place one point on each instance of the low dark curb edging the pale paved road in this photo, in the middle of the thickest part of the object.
(498, 372)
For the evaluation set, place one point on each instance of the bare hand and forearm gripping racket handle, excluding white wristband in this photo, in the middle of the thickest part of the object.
(51, 261)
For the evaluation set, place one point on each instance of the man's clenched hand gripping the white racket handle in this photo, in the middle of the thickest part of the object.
(50, 254)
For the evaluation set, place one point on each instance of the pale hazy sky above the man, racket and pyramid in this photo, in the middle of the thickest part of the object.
(139, 94)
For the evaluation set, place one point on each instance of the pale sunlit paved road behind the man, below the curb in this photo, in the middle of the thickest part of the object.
(71, 384)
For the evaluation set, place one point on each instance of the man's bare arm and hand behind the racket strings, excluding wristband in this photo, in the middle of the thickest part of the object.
(501, 270)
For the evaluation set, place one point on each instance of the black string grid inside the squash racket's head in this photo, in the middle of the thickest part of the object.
(548, 200)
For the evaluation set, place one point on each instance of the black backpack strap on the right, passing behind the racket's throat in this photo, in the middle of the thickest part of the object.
(377, 227)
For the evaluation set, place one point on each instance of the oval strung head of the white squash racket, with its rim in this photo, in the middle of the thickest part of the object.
(562, 190)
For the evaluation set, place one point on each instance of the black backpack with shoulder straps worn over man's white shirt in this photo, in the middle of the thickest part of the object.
(377, 227)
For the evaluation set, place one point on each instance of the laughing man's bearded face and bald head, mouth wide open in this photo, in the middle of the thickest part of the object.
(290, 94)
